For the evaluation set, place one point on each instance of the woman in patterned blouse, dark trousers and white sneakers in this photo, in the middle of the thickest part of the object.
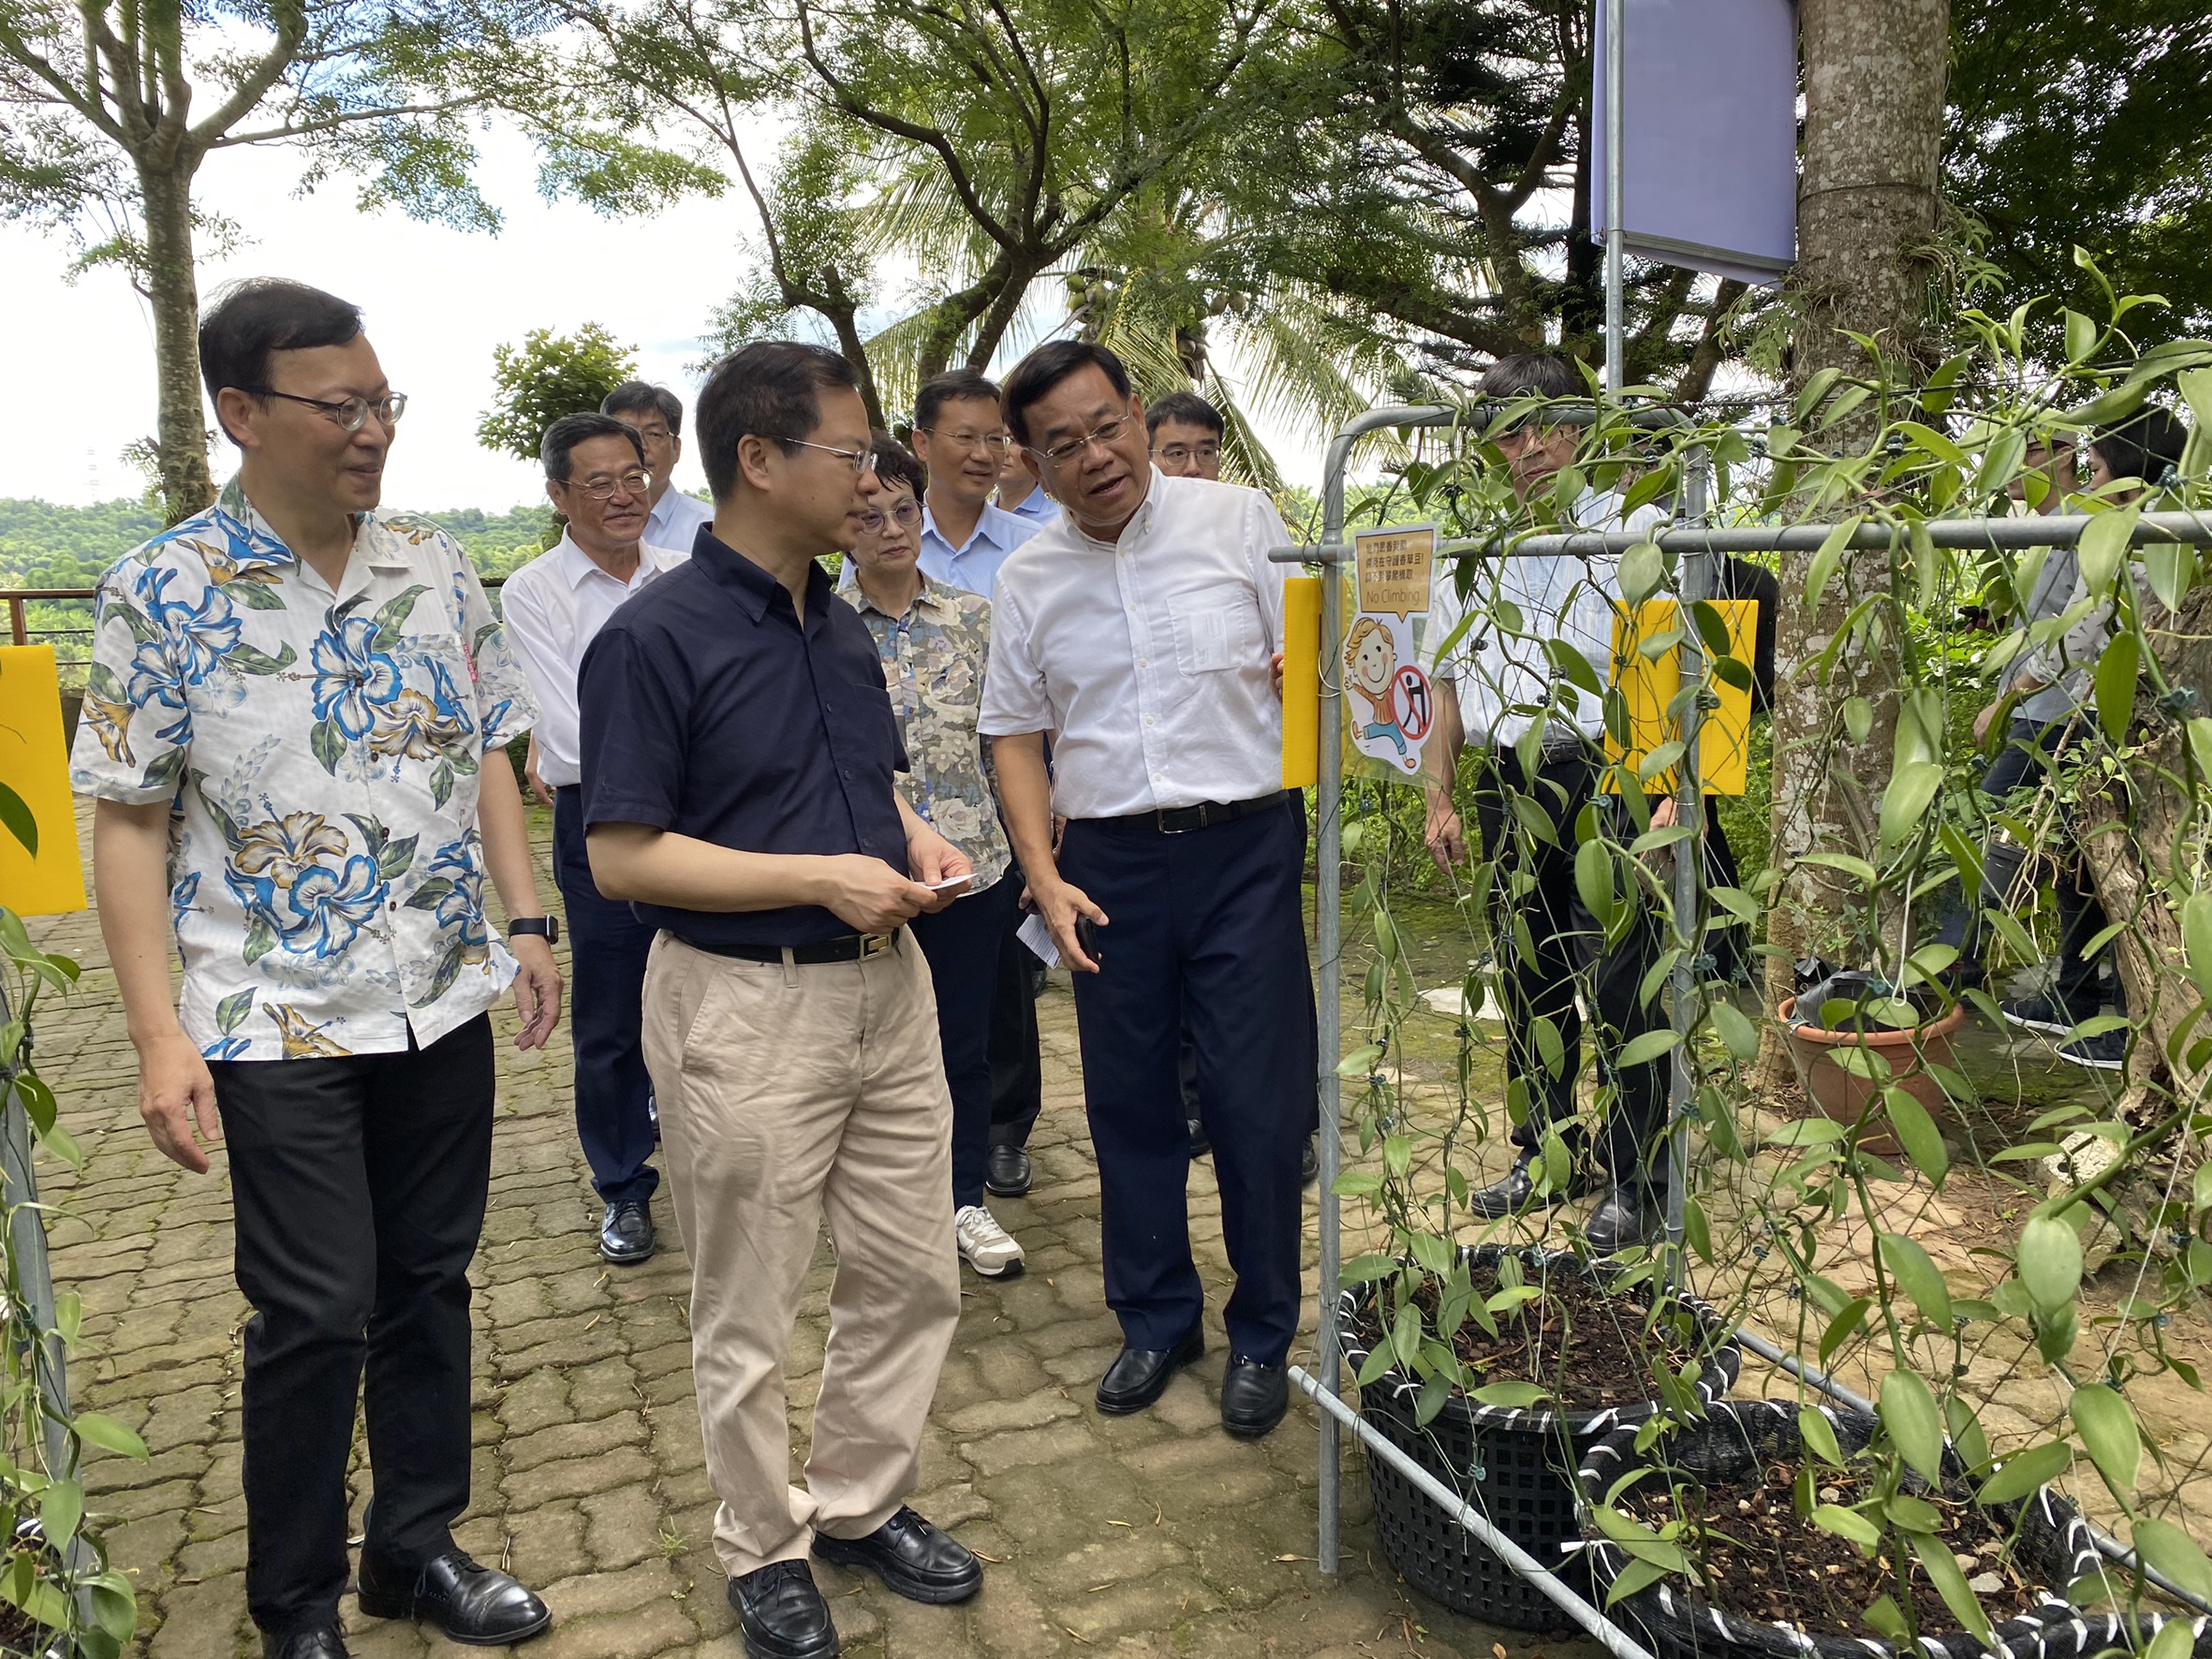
(935, 643)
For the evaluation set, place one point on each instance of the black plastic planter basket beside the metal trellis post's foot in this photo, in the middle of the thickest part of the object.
(1516, 1468)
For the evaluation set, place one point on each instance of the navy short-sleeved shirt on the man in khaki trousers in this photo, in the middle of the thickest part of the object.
(709, 711)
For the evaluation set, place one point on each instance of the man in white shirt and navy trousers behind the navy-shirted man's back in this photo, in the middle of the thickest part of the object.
(556, 605)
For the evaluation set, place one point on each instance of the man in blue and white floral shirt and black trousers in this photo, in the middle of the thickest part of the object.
(295, 731)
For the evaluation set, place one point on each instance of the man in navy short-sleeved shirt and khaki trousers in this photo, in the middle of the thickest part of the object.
(738, 755)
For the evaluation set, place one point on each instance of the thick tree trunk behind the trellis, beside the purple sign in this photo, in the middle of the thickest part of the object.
(1868, 207)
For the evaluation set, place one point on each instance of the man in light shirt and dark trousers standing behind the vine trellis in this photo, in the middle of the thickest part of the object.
(1503, 685)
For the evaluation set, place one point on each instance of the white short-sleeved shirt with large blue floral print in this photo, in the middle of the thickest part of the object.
(320, 753)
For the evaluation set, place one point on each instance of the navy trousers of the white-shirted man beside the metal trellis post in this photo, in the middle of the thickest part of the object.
(1204, 924)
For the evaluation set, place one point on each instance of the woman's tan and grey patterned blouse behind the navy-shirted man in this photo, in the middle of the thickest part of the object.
(932, 665)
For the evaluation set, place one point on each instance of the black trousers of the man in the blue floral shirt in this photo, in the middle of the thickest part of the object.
(359, 1191)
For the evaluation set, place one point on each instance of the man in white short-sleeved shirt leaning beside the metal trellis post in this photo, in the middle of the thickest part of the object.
(1142, 634)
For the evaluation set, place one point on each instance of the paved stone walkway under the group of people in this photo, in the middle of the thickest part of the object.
(1140, 1536)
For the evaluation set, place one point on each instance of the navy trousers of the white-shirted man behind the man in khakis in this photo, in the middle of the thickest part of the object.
(607, 979)
